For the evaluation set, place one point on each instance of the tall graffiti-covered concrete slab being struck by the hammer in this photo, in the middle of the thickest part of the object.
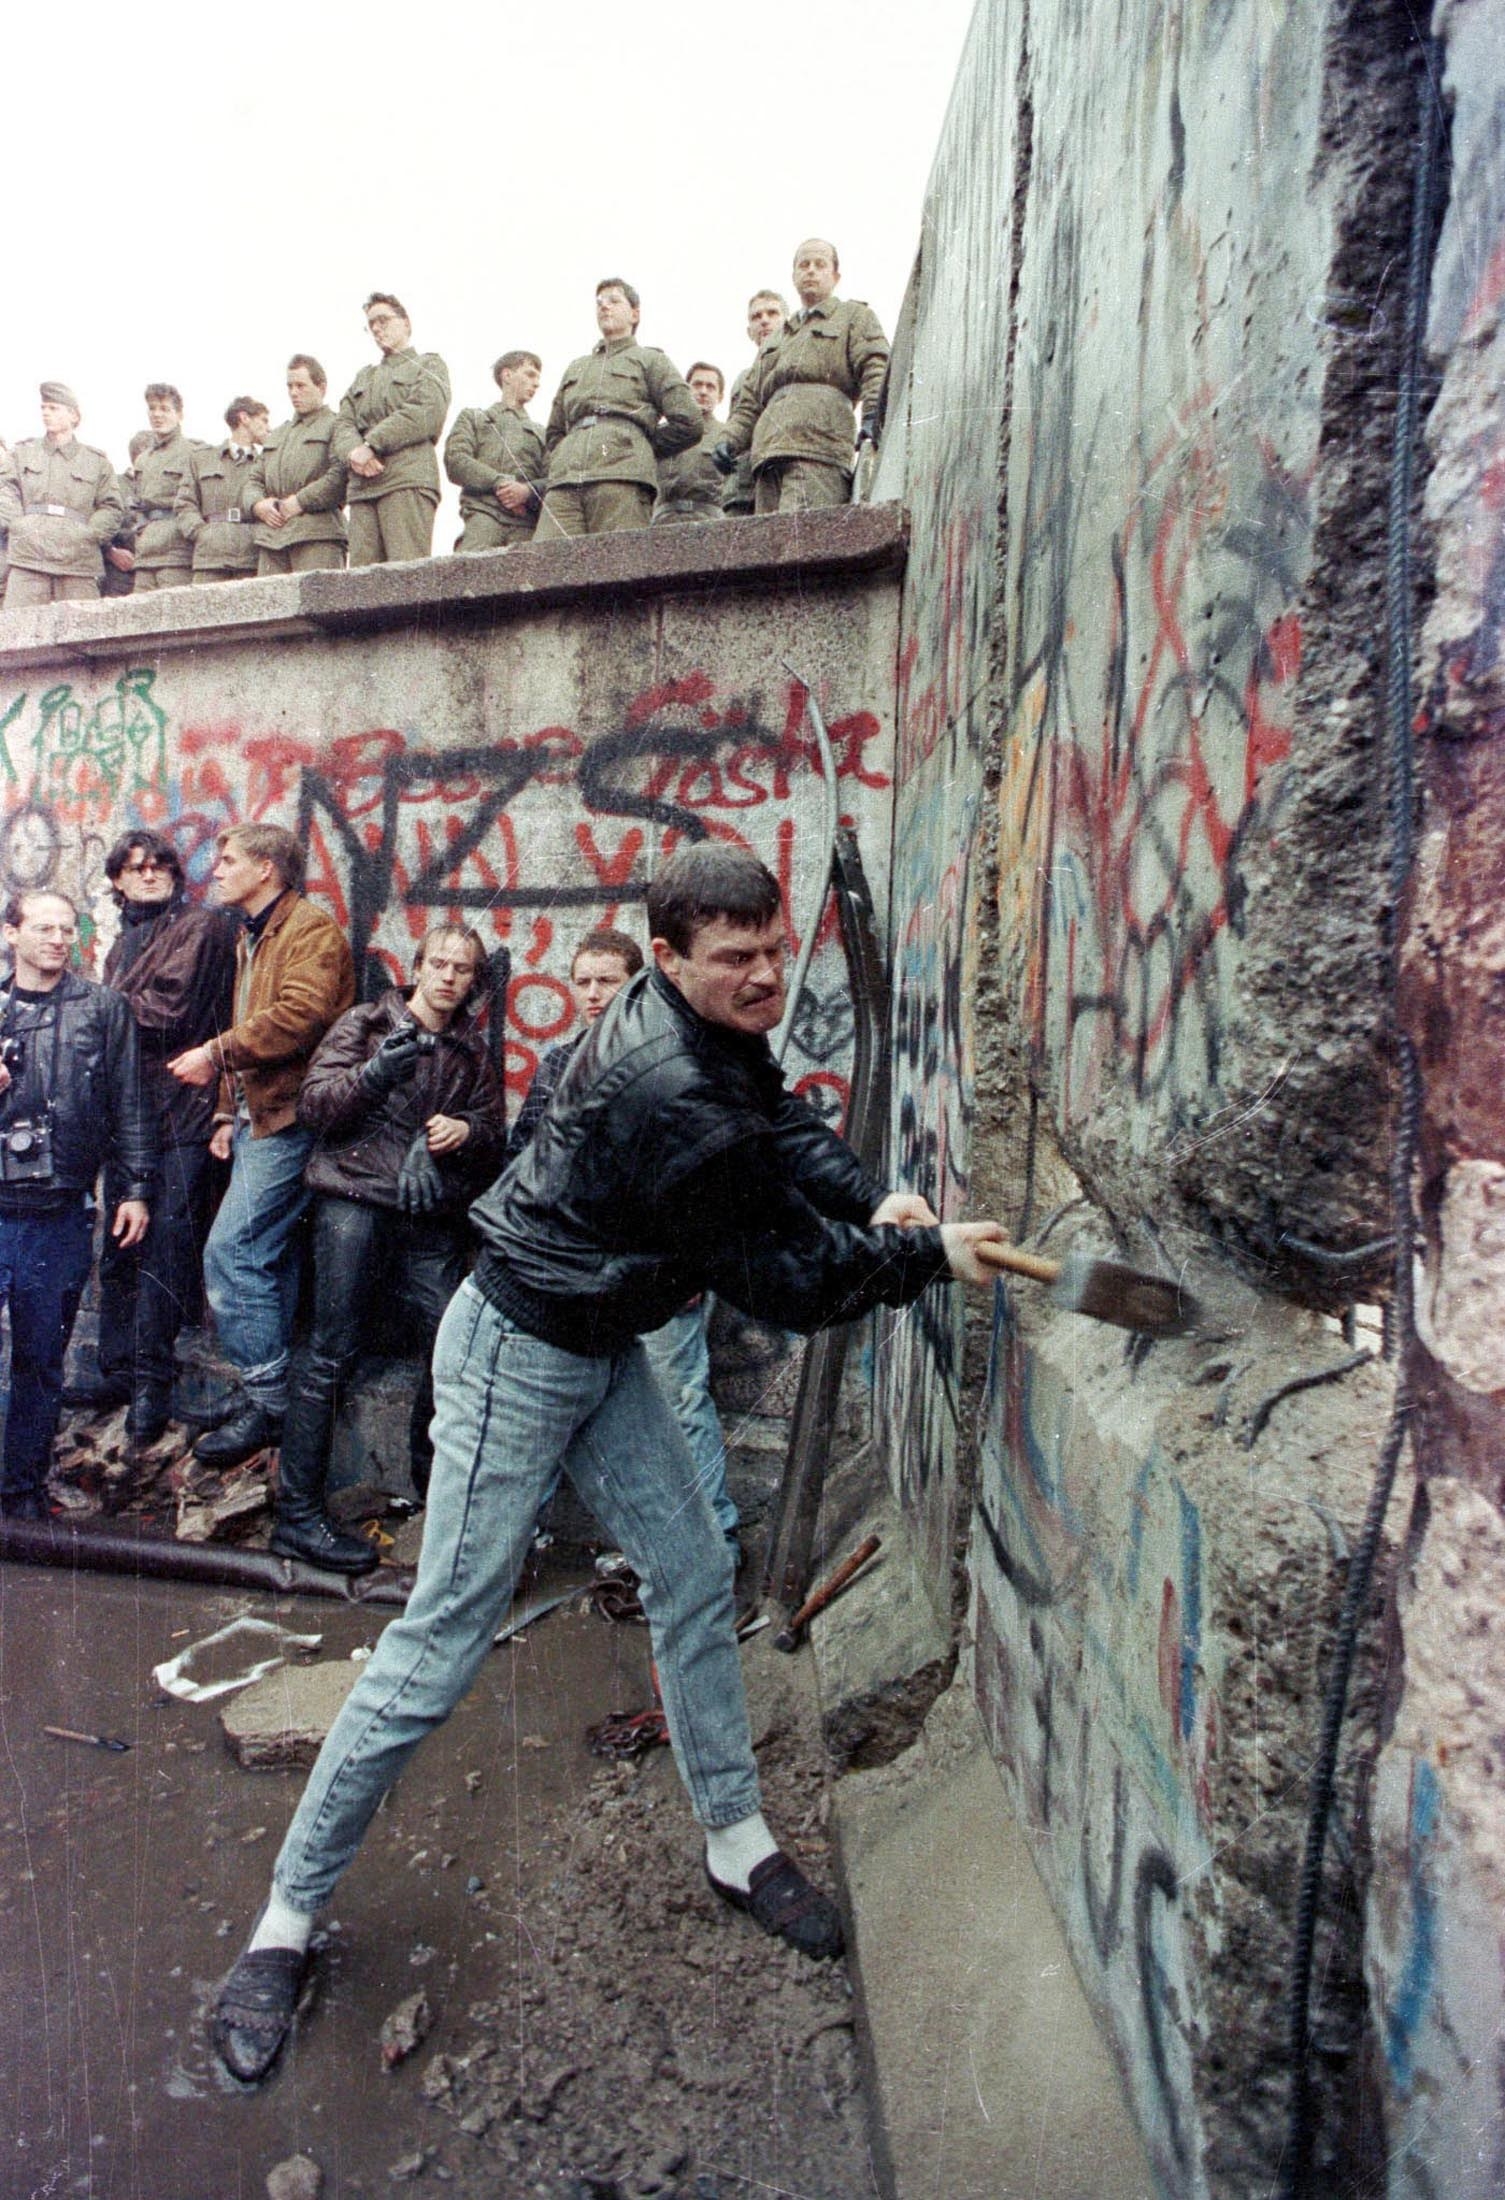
(1139, 916)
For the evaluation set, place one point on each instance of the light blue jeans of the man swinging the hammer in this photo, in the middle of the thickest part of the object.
(507, 1411)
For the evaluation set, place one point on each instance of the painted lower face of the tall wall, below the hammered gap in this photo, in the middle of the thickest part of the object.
(1090, 1673)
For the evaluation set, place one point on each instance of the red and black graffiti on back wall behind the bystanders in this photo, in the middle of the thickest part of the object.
(534, 839)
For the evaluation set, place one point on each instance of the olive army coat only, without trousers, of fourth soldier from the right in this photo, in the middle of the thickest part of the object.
(615, 415)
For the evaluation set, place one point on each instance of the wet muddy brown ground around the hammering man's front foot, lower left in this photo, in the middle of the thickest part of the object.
(129, 1880)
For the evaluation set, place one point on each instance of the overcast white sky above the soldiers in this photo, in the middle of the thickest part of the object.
(212, 188)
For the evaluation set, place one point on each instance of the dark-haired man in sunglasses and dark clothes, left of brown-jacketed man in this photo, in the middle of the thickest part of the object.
(175, 967)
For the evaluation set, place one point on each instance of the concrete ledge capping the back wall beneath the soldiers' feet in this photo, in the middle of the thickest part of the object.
(494, 584)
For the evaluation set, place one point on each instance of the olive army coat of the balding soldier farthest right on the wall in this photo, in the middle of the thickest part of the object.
(802, 388)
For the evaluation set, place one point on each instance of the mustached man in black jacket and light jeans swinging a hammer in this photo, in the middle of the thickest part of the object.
(672, 1160)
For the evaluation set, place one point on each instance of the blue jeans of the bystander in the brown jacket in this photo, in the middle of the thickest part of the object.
(252, 1259)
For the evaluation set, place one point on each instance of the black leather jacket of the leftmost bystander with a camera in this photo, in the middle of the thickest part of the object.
(100, 1103)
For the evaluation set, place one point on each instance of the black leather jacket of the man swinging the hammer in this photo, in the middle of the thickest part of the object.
(672, 1160)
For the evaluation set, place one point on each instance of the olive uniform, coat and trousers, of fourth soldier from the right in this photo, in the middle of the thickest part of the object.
(615, 415)
